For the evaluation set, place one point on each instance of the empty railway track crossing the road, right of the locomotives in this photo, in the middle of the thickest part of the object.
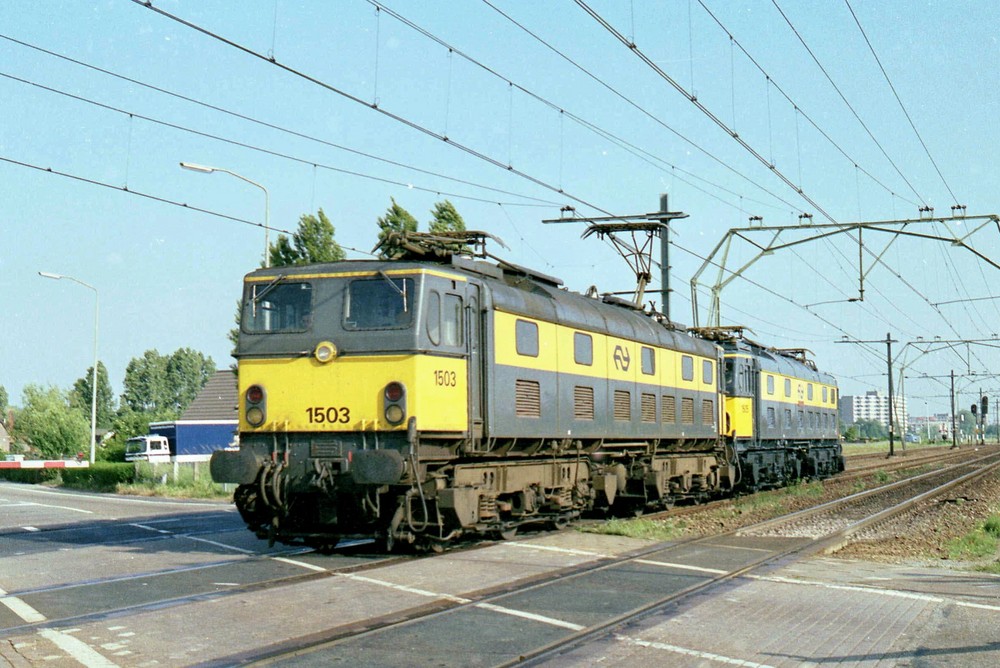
(618, 590)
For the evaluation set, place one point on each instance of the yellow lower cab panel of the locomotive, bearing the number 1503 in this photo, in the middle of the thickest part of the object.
(352, 393)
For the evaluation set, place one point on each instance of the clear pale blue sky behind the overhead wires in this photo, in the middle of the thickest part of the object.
(169, 276)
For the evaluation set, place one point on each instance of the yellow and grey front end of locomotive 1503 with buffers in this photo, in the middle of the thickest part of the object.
(330, 417)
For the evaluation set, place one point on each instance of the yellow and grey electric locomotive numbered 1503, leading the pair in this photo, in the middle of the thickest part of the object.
(421, 398)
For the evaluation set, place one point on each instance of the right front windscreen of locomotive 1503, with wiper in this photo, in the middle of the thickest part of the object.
(379, 303)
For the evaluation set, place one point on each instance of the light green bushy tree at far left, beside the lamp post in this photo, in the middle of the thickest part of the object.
(48, 425)
